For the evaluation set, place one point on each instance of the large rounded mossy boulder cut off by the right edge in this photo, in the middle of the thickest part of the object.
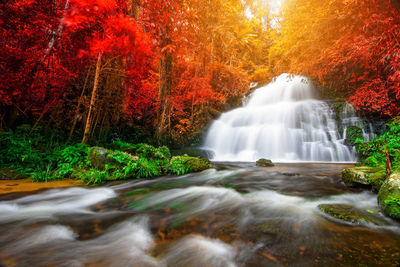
(389, 196)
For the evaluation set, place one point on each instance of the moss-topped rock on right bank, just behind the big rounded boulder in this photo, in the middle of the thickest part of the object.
(358, 175)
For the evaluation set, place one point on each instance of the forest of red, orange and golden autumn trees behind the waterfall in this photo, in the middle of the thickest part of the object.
(77, 72)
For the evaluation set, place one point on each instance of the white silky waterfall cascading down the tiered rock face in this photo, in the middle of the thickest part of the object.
(281, 121)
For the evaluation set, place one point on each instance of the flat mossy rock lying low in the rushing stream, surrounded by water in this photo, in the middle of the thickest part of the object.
(349, 214)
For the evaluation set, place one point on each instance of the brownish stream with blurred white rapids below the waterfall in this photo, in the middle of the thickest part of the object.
(234, 215)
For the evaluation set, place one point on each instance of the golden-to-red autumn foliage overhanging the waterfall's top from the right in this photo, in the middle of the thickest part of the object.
(350, 47)
